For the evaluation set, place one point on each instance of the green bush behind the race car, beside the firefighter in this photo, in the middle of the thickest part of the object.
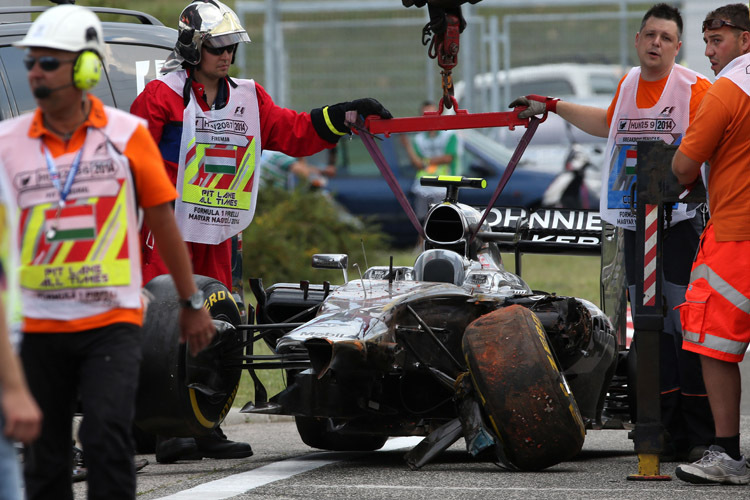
(289, 227)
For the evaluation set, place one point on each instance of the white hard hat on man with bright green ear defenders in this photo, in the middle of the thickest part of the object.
(66, 27)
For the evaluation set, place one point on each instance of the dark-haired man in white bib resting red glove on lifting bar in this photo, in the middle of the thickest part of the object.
(655, 100)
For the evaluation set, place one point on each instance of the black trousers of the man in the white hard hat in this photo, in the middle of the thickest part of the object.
(101, 368)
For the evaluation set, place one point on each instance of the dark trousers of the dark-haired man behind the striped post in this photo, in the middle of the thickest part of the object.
(685, 412)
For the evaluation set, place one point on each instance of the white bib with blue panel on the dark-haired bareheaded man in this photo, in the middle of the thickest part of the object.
(667, 121)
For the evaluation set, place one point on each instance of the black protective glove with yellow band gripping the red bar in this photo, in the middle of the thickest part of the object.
(332, 122)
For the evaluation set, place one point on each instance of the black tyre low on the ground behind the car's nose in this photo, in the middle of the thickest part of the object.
(315, 432)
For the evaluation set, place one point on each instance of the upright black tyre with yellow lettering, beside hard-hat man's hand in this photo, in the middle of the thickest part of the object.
(178, 394)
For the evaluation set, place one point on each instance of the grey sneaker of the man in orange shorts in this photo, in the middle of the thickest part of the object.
(715, 467)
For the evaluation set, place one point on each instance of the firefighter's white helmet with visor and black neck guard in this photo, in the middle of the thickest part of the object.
(210, 22)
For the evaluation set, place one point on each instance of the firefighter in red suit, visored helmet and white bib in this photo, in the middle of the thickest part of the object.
(211, 129)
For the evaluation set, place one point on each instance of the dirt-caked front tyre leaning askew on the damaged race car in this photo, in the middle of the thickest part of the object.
(526, 397)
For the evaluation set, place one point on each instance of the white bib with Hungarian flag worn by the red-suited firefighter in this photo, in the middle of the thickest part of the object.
(219, 164)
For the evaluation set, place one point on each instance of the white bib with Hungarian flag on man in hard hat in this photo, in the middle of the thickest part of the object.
(82, 258)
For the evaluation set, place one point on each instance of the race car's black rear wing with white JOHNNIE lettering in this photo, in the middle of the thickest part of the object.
(546, 231)
